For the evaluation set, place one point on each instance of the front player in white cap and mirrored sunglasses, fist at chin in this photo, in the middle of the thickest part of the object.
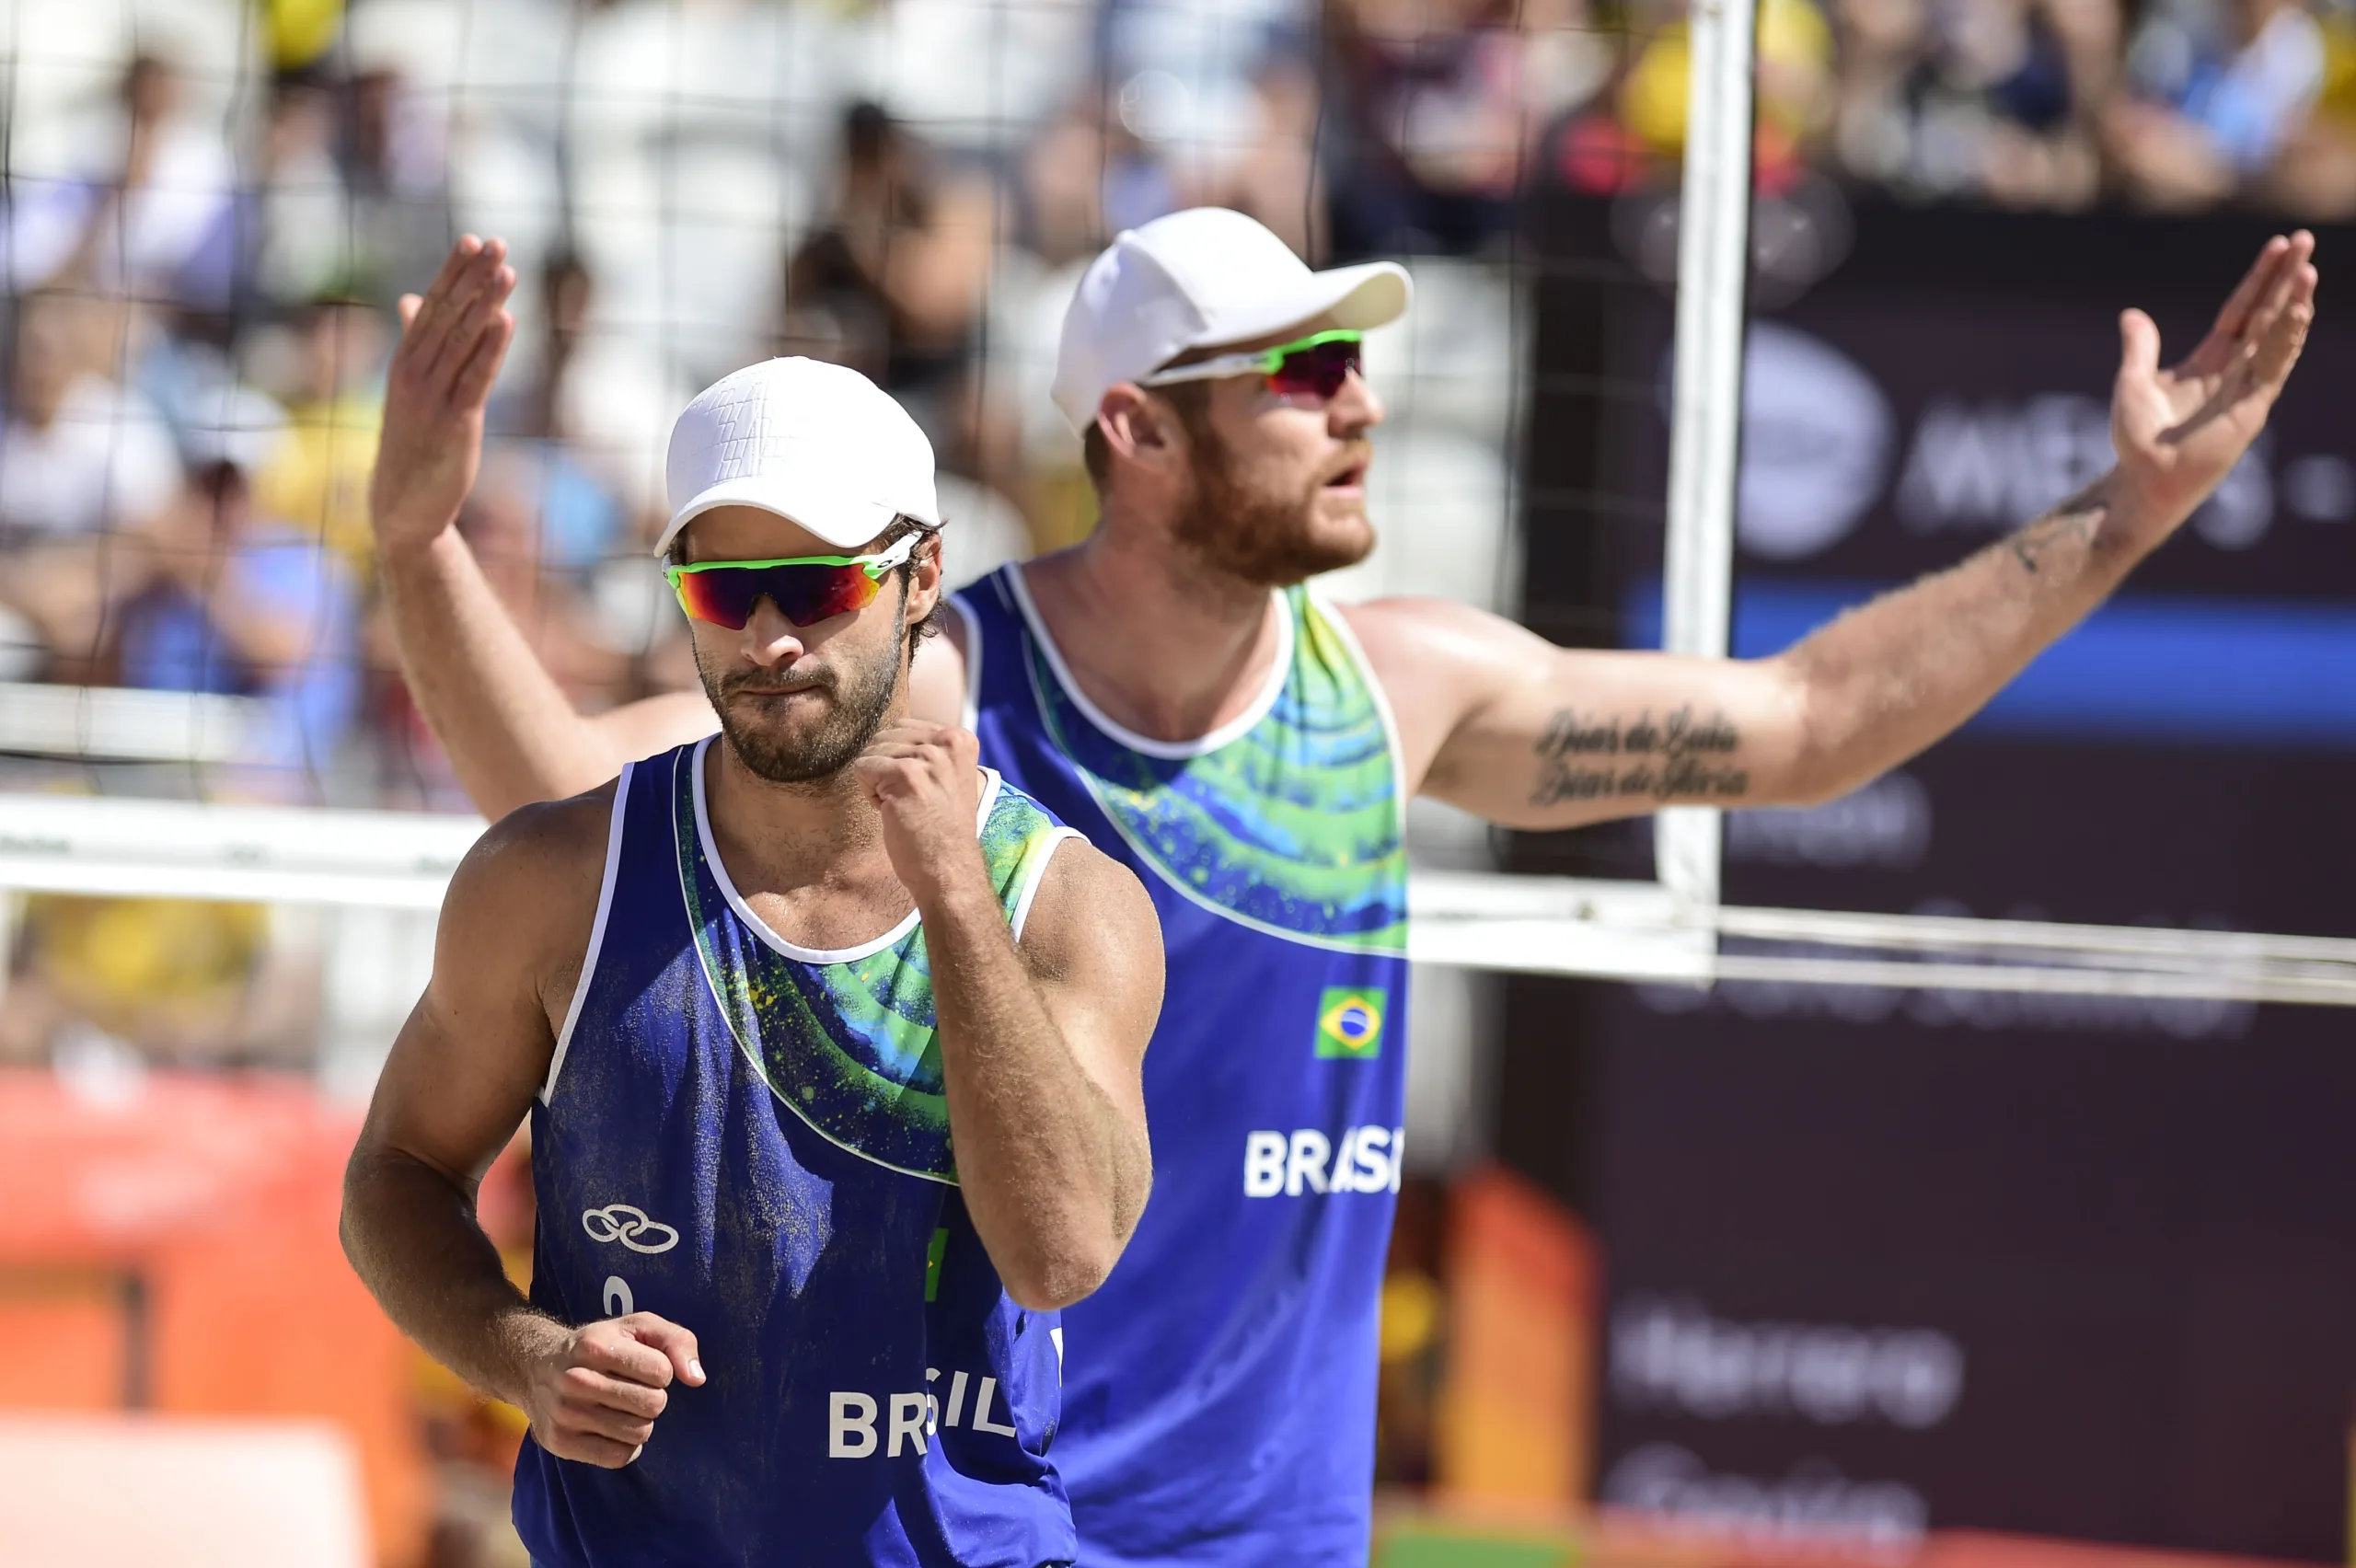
(828, 1039)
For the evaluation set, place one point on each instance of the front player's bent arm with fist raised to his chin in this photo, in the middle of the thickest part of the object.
(1043, 1044)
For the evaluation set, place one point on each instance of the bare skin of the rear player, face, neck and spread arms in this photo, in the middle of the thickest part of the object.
(1167, 625)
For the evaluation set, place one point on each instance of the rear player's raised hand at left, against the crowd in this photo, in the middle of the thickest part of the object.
(451, 345)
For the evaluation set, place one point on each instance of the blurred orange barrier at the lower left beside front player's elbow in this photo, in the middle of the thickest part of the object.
(173, 1249)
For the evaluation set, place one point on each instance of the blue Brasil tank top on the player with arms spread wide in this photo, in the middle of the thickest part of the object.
(1219, 1388)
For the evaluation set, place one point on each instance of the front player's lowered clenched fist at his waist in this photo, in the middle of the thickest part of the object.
(595, 1393)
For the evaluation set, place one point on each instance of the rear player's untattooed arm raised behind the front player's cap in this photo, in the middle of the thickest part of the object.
(512, 736)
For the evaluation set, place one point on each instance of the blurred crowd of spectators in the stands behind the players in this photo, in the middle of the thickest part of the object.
(211, 215)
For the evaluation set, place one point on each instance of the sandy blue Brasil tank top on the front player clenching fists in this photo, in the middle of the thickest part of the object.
(750, 1138)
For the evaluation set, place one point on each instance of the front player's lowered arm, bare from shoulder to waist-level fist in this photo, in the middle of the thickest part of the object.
(463, 1075)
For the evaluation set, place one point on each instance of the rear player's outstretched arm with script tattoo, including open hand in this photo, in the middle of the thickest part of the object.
(1535, 736)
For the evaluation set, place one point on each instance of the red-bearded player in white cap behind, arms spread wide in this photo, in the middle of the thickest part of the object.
(1179, 693)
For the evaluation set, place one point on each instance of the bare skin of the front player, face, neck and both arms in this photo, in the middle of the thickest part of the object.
(1043, 1042)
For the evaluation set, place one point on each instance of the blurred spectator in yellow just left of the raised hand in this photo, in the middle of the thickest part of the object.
(317, 479)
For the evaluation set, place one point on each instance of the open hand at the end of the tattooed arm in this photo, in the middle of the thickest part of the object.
(2180, 432)
